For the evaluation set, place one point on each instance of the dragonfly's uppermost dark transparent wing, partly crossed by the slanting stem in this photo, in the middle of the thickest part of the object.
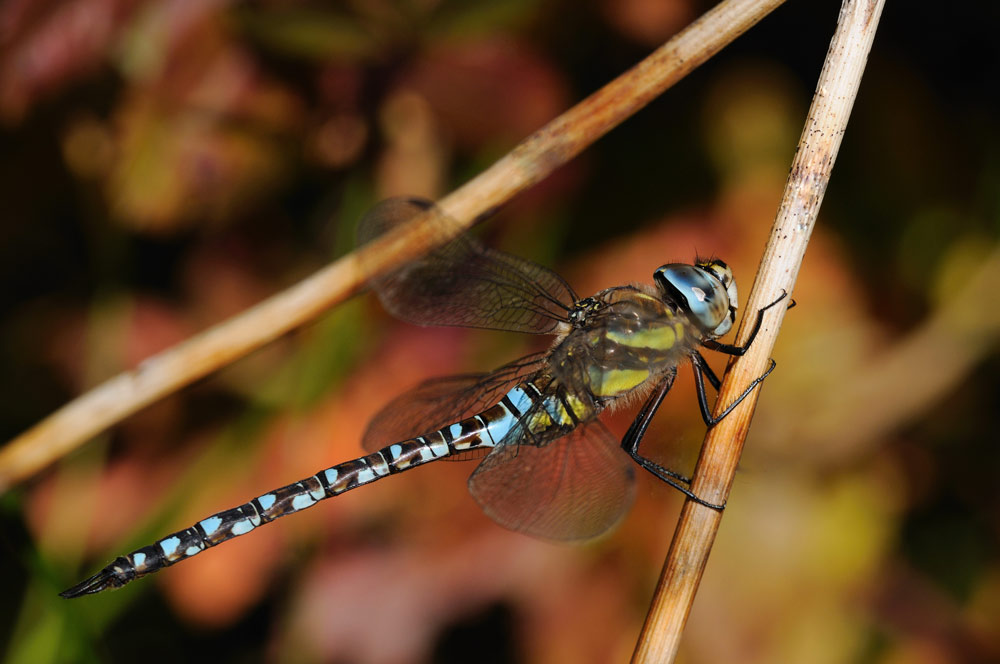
(464, 283)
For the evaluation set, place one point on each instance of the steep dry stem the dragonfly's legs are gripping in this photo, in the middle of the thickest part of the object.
(810, 173)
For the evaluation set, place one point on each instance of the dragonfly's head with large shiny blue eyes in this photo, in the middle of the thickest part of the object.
(706, 291)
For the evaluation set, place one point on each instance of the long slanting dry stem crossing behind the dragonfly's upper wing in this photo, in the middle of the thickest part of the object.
(529, 162)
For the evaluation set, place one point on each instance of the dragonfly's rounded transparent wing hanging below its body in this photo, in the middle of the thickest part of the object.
(573, 488)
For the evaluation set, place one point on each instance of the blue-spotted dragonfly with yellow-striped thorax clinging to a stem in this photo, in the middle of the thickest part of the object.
(548, 466)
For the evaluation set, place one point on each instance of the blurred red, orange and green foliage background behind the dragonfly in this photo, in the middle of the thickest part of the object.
(168, 163)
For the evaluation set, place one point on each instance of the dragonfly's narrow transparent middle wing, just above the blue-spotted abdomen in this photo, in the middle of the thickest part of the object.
(440, 402)
